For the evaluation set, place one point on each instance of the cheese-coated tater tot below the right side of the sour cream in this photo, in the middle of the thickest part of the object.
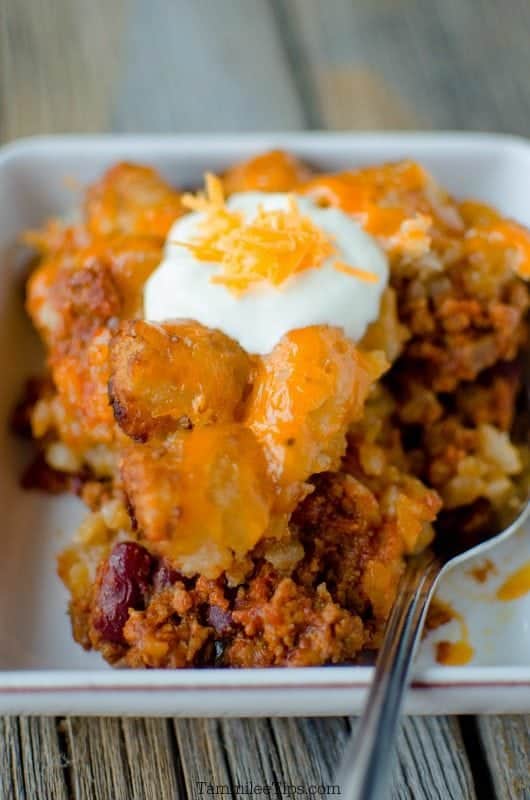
(307, 392)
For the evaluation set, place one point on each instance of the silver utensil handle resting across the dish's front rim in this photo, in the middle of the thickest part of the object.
(366, 765)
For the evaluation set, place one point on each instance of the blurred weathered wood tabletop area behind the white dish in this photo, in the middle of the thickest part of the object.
(87, 66)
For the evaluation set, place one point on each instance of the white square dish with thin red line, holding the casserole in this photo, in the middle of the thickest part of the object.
(41, 669)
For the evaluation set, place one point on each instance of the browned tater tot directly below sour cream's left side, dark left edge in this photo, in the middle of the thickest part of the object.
(175, 374)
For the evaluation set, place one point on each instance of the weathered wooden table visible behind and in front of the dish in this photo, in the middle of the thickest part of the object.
(210, 65)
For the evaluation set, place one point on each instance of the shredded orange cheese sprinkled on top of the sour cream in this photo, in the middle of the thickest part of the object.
(273, 246)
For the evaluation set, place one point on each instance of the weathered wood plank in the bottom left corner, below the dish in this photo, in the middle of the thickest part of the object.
(31, 762)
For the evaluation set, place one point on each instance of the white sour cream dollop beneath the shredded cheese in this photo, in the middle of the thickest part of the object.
(181, 286)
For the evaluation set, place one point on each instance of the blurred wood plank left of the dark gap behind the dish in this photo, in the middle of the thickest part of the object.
(136, 66)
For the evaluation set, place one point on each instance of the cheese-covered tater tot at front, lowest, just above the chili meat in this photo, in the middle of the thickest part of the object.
(202, 497)
